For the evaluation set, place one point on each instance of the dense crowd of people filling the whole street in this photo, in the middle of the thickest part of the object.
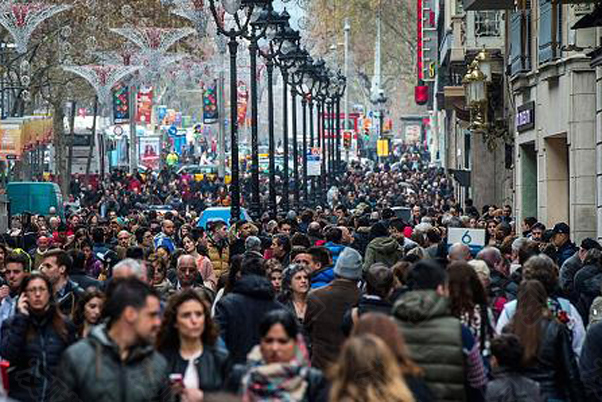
(345, 302)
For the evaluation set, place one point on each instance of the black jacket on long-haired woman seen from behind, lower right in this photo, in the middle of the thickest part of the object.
(555, 367)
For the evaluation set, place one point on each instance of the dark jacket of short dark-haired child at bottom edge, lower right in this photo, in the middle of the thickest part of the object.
(509, 386)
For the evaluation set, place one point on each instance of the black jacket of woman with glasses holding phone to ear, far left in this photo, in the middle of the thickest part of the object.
(33, 359)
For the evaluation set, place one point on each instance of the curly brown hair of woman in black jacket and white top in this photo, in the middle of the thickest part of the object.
(168, 338)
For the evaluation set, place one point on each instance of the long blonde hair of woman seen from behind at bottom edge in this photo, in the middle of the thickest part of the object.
(367, 371)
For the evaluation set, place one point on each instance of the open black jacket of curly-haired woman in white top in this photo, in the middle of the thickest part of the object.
(212, 367)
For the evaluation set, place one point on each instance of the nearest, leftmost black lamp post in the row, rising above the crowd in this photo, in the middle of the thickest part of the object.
(239, 29)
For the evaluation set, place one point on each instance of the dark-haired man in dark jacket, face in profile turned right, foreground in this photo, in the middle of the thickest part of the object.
(117, 361)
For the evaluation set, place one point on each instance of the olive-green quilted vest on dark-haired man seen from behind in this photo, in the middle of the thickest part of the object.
(434, 339)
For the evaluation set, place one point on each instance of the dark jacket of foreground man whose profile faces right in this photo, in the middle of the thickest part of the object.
(92, 370)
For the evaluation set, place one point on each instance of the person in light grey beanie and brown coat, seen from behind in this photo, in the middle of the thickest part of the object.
(326, 308)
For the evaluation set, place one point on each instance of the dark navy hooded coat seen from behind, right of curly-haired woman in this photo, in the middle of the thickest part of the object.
(239, 313)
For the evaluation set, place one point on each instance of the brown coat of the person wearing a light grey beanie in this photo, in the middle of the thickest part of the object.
(326, 308)
